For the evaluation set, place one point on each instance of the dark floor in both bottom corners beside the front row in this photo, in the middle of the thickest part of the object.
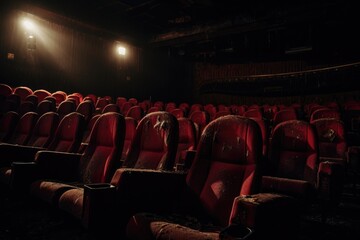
(21, 218)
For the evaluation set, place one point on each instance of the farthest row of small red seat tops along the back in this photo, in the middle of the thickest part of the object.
(124, 104)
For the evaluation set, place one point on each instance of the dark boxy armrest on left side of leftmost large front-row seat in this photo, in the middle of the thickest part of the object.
(58, 165)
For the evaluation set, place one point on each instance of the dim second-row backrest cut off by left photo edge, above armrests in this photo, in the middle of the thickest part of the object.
(8, 122)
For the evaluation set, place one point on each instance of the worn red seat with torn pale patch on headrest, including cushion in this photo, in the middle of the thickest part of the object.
(153, 148)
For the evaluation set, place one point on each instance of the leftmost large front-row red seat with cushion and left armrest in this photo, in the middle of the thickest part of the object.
(96, 165)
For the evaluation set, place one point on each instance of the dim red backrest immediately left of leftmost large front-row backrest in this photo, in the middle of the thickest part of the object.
(69, 133)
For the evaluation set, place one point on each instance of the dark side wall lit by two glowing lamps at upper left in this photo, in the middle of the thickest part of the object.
(74, 59)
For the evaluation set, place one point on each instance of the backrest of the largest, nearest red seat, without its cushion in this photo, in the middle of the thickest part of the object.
(226, 165)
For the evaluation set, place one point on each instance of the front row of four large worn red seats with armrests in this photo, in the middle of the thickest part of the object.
(227, 178)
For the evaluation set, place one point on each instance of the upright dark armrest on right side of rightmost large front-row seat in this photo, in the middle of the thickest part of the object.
(330, 181)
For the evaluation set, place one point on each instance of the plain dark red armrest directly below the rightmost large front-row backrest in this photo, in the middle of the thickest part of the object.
(292, 187)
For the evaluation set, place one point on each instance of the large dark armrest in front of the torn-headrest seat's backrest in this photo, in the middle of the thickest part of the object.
(147, 190)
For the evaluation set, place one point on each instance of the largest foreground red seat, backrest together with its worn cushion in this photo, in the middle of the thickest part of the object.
(226, 165)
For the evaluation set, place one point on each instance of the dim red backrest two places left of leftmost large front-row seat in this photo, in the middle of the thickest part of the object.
(44, 130)
